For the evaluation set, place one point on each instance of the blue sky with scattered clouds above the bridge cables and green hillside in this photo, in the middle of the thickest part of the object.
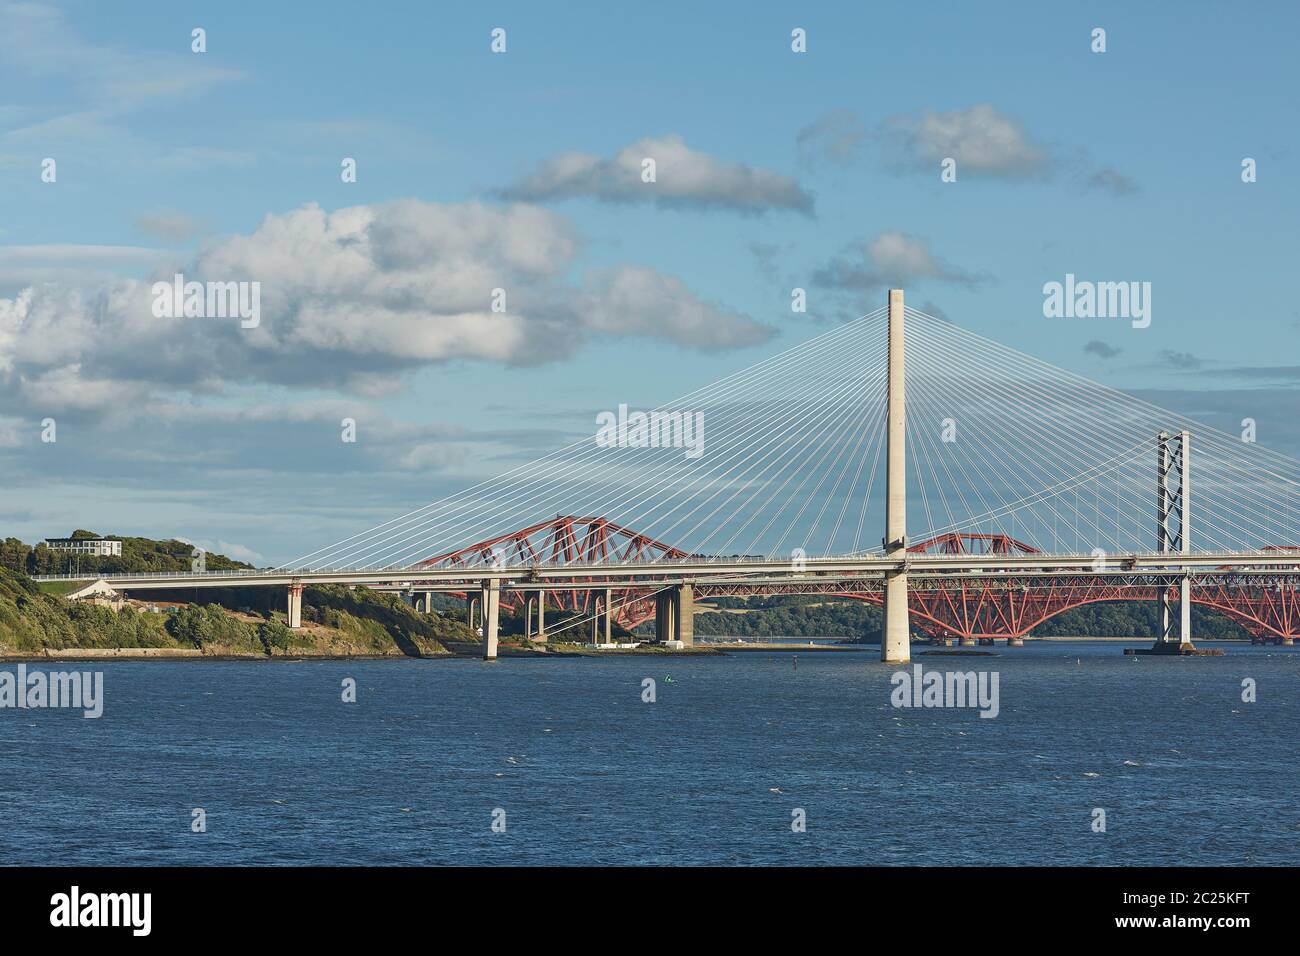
(1115, 167)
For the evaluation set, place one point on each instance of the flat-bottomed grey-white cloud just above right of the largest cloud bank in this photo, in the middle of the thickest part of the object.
(684, 178)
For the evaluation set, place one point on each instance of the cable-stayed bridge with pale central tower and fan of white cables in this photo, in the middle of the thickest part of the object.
(1038, 491)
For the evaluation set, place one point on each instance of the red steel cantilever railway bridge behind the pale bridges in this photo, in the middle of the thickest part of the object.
(990, 605)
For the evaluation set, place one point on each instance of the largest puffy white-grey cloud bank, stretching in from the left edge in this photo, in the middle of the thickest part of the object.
(352, 300)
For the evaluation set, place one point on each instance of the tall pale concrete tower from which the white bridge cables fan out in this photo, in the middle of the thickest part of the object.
(896, 643)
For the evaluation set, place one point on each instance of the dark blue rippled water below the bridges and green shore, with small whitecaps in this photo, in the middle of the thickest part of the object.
(587, 773)
